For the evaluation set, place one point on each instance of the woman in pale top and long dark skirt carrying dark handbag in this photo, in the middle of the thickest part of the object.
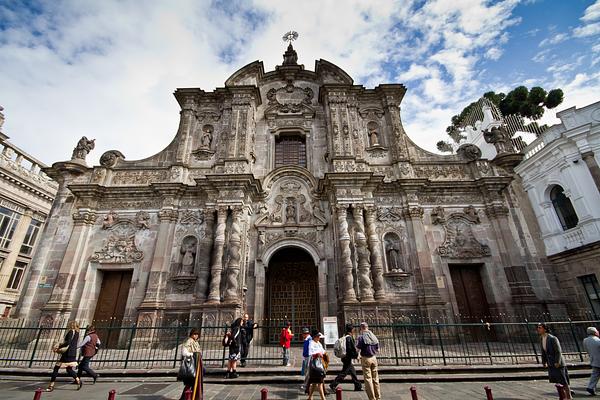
(191, 370)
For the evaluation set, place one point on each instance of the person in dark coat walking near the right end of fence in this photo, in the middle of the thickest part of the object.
(553, 359)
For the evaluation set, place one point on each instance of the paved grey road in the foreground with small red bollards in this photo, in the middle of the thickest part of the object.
(167, 389)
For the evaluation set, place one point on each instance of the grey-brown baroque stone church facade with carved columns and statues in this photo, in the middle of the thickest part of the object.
(289, 194)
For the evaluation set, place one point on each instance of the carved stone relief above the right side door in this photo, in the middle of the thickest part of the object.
(460, 241)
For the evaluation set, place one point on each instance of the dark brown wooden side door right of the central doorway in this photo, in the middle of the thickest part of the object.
(470, 296)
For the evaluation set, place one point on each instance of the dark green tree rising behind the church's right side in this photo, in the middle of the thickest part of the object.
(520, 101)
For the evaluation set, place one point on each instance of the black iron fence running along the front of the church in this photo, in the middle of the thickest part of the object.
(26, 346)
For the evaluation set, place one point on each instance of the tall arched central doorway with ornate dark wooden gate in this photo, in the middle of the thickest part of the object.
(292, 292)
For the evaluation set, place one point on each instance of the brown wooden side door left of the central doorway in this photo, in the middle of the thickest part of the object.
(110, 307)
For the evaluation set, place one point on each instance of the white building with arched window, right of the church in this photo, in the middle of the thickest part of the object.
(562, 178)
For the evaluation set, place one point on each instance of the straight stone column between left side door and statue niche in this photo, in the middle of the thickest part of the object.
(159, 270)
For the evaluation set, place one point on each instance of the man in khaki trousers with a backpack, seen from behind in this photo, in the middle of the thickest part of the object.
(368, 344)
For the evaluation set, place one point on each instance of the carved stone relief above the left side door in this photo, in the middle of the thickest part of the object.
(119, 247)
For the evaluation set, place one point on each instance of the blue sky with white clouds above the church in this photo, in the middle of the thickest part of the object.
(107, 69)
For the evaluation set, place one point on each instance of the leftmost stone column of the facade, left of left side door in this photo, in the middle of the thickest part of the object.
(72, 265)
